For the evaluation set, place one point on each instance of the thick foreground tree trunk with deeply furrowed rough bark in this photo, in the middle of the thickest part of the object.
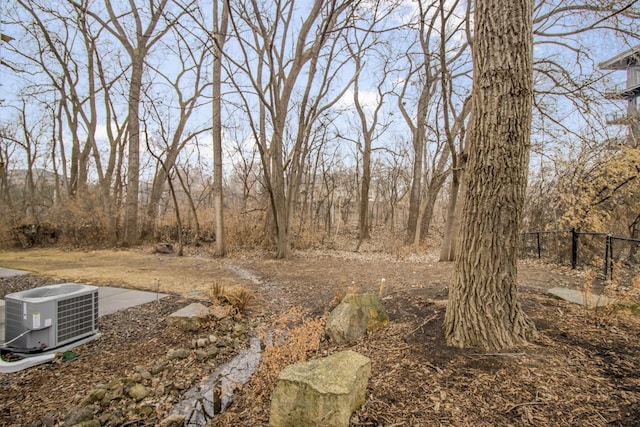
(483, 309)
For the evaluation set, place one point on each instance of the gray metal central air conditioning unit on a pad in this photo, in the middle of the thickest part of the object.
(50, 316)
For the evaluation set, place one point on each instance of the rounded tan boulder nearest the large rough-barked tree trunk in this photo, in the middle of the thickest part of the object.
(356, 315)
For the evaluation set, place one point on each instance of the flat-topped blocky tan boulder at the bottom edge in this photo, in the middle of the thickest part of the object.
(321, 392)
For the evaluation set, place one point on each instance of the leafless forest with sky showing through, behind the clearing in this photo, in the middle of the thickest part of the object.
(286, 125)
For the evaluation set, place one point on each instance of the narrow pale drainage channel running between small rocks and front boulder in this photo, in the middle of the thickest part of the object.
(214, 394)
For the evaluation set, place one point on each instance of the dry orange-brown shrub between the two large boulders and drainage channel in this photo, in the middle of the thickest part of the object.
(294, 337)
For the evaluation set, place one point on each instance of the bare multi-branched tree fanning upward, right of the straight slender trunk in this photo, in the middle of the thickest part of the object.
(275, 95)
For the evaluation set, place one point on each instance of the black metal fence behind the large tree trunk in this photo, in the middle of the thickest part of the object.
(581, 249)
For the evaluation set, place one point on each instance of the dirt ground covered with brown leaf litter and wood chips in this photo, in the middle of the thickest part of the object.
(583, 370)
